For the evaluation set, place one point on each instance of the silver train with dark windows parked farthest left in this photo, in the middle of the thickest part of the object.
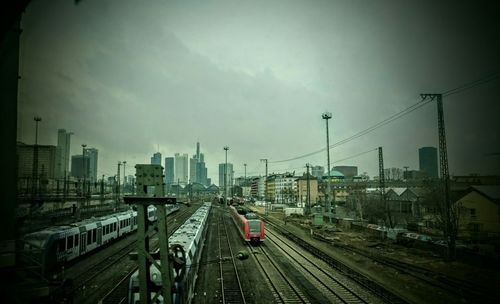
(54, 246)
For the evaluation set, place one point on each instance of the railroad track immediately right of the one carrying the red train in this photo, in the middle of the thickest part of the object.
(334, 288)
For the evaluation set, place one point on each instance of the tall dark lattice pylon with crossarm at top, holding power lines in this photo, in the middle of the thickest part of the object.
(445, 175)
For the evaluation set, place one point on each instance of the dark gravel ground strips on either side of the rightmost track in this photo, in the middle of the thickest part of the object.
(413, 290)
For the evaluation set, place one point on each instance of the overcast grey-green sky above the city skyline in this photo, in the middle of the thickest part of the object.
(132, 78)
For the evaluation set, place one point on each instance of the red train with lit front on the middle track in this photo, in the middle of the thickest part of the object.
(251, 227)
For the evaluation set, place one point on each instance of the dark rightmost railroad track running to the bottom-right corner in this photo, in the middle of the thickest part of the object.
(465, 289)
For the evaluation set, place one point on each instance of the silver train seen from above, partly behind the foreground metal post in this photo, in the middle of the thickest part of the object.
(189, 239)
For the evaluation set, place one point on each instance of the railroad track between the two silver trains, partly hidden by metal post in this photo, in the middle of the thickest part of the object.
(118, 294)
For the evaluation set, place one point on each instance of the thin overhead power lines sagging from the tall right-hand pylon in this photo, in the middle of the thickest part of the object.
(398, 115)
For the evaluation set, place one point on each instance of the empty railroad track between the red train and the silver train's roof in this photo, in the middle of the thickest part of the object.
(231, 290)
